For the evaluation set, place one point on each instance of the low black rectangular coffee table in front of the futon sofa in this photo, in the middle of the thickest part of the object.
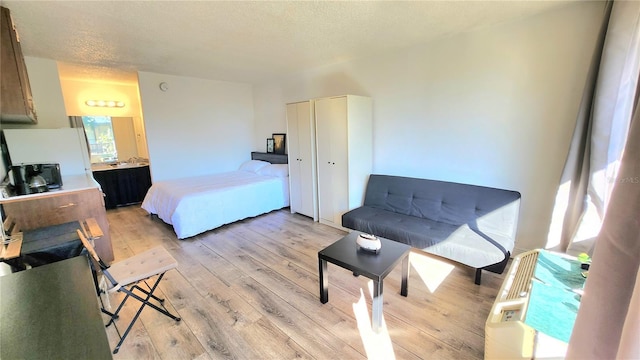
(376, 267)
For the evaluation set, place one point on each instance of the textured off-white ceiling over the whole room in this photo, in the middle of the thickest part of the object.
(239, 41)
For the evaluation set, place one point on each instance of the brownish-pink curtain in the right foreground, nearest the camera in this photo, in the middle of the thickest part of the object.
(608, 322)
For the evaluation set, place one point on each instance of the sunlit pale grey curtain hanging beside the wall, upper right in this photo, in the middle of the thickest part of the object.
(601, 131)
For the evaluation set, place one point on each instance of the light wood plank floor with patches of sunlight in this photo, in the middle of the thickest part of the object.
(249, 290)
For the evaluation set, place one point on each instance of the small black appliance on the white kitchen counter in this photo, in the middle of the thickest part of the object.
(35, 178)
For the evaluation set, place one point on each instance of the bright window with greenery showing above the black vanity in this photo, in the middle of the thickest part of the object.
(102, 144)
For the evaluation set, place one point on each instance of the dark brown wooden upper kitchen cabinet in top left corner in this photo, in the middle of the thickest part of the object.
(16, 103)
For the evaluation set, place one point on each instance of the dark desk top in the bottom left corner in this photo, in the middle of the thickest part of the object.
(52, 312)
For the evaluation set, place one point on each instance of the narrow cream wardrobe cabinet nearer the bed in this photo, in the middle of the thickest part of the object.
(302, 159)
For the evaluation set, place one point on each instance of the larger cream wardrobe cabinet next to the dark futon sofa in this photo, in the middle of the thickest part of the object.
(344, 154)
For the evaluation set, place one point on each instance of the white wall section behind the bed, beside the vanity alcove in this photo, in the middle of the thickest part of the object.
(197, 126)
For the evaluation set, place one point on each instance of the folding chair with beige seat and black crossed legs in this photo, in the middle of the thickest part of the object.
(125, 275)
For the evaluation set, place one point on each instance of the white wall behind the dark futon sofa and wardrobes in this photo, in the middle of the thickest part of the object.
(494, 107)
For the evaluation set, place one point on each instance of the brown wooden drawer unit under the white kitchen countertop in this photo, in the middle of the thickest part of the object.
(59, 208)
